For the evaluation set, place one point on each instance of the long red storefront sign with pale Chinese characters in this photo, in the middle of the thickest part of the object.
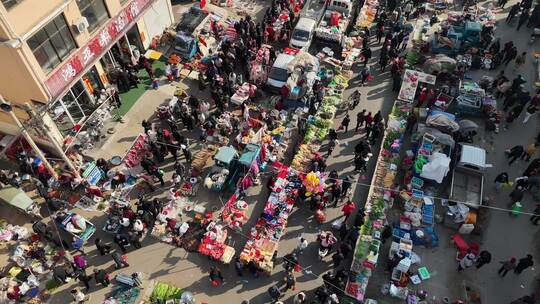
(101, 42)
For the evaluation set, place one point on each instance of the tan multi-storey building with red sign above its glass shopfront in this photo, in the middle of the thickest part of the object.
(56, 55)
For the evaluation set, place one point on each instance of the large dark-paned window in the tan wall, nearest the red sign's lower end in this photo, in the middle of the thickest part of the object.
(52, 44)
